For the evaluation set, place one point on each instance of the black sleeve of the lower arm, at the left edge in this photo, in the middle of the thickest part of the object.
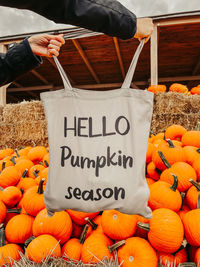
(17, 61)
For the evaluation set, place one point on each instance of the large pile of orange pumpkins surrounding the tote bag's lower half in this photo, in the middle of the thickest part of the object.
(171, 237)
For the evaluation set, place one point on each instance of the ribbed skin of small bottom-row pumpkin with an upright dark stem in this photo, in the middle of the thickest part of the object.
(72, 249)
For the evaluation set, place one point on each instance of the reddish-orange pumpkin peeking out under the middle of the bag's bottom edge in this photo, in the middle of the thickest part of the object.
(78, 217)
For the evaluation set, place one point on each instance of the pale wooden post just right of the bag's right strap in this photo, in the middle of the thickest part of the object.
(154, 56)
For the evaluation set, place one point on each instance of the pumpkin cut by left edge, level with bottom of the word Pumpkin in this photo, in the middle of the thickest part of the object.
(9, 176)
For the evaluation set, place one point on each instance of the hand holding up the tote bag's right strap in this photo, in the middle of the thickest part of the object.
(144, 28)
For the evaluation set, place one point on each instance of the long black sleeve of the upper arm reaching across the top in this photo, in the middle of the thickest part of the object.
(107, 16)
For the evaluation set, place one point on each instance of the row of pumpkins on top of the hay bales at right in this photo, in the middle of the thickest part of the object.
(175, 87)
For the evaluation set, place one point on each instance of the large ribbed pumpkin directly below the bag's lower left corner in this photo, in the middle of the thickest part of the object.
(59, 225)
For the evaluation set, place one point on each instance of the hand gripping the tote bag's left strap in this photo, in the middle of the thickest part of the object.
(46, 45)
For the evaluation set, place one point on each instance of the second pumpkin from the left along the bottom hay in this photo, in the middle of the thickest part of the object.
(42, 247)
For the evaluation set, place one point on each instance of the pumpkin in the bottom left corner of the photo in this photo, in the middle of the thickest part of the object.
(8, 252)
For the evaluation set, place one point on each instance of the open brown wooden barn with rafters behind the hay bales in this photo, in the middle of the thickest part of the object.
(100, 62)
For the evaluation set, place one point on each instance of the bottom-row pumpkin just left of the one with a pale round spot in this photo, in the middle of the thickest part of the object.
(96, 244)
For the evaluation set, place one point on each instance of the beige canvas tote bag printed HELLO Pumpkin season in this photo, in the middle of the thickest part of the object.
(98, 142)
